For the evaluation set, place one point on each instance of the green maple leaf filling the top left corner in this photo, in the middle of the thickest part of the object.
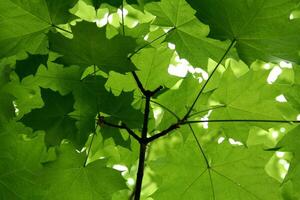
(23, 24)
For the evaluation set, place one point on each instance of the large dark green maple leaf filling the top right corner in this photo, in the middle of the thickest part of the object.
(263, 29)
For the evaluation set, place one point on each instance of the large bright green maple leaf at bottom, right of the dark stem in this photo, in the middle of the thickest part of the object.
(234, 173)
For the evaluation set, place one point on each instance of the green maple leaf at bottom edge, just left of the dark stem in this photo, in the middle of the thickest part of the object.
(67, 178)
